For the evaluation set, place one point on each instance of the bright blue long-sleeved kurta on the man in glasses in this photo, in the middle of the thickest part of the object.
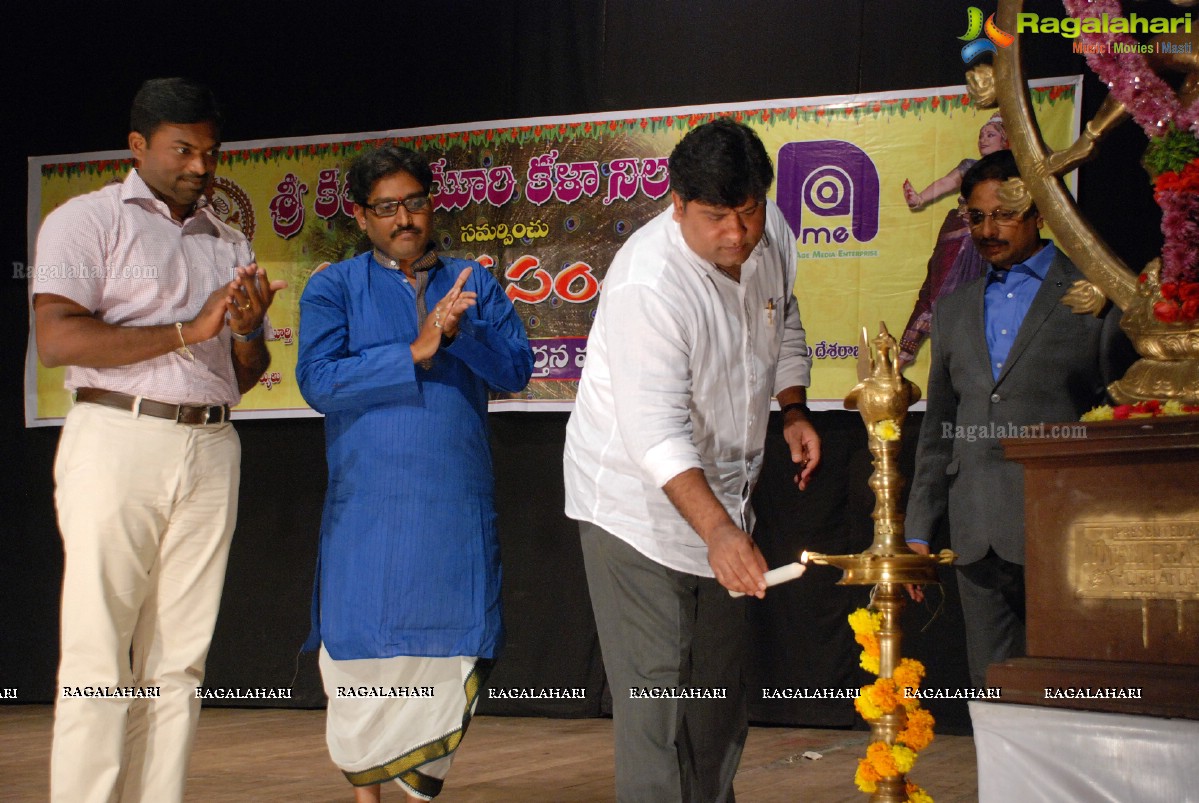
(409, 558)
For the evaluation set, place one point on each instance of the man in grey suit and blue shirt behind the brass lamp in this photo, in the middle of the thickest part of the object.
(1008, 358)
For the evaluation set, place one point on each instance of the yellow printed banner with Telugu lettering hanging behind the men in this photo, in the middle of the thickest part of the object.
(545, 206)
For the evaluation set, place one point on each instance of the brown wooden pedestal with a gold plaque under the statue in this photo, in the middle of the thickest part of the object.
(1112, 551)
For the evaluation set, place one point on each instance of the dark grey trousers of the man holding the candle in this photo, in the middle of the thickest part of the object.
(662, 630)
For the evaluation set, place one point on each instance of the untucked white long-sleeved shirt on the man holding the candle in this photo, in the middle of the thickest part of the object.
(682, 365)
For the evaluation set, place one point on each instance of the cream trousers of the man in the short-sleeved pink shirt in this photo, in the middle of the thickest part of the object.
(147, 510)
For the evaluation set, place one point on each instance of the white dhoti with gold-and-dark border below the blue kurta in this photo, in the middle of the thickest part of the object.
(399, 719)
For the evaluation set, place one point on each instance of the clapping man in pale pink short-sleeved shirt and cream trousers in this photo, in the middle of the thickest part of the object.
(156, 309)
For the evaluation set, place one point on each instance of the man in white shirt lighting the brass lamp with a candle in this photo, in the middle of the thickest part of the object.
(697, 329)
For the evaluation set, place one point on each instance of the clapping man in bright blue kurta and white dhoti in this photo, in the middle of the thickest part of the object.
(399, 348)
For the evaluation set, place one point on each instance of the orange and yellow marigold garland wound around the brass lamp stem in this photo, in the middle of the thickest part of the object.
(884, 697)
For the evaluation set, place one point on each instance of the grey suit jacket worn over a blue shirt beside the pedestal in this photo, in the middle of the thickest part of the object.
(1059, 367)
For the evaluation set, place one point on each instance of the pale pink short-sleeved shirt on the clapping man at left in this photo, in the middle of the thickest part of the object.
(119, 253)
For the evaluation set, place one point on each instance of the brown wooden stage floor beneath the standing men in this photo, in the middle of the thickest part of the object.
(263, 756)
